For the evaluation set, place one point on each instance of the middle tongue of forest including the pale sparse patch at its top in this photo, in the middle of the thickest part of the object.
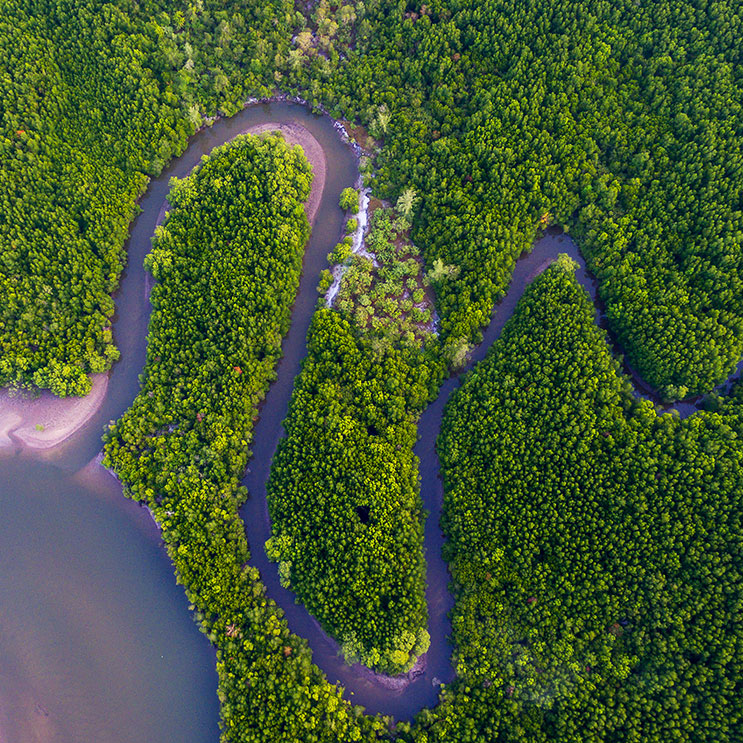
(343, 494)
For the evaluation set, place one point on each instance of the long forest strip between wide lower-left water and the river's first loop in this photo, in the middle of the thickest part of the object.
(227, 263)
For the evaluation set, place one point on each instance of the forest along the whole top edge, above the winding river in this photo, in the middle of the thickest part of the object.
(622, 121)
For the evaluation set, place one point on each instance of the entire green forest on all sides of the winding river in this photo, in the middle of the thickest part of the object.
(595, 546)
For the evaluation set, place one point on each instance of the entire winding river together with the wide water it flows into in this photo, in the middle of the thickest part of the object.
(95, 640)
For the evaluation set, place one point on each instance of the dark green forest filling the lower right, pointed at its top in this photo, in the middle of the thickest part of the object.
(595, 546)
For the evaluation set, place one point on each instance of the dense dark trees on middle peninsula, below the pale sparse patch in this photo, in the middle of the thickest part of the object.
(343, 494)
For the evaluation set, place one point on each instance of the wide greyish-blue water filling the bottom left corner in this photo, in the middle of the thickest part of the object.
(96, 643)
